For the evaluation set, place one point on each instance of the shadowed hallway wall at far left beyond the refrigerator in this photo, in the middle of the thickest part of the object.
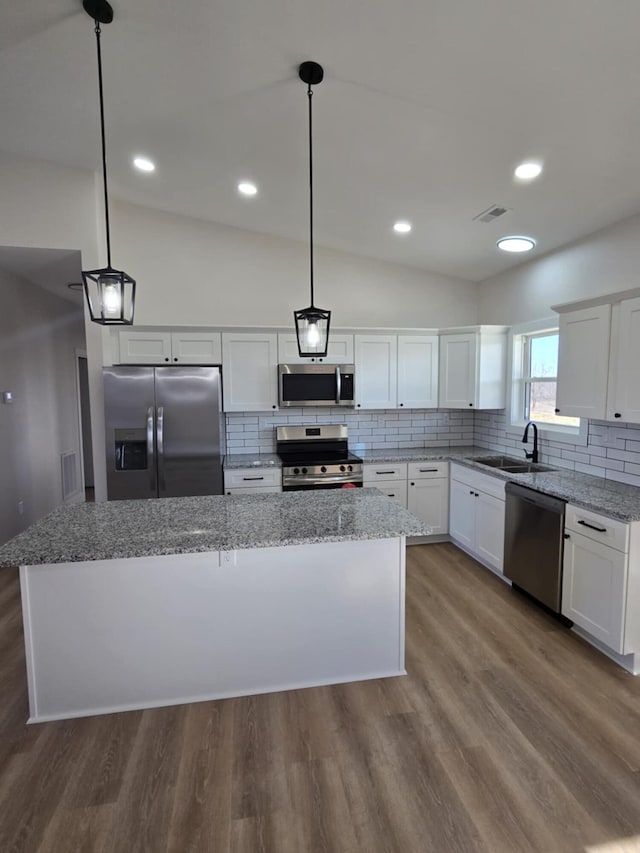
(39, 333)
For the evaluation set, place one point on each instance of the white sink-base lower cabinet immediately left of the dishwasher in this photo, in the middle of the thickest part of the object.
(476, 515)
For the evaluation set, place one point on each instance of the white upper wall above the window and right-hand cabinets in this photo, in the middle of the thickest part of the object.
(605, 262)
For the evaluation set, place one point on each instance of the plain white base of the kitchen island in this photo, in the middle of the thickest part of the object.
(126, 634)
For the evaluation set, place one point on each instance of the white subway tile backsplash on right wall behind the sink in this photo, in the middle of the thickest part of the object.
(612, 450)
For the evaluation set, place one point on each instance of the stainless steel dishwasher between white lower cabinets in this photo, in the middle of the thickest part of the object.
(534, 543)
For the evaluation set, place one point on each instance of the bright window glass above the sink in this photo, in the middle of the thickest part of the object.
(539, 379)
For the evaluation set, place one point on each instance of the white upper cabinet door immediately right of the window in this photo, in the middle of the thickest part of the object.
(583, 362)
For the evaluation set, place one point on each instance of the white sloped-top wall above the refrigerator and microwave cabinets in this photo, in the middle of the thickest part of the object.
(191, 272)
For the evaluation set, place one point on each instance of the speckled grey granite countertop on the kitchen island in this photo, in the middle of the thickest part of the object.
(141, 528)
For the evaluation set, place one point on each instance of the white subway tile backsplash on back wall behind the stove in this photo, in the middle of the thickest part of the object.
(254, 432)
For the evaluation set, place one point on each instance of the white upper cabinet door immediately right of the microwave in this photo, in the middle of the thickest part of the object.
(376, 371)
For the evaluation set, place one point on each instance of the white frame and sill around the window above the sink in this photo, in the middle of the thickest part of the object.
(515, 423)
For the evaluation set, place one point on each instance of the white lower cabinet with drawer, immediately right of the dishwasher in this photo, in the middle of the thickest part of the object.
(594, 585)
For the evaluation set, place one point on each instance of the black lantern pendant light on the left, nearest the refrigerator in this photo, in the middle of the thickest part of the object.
(110, 293)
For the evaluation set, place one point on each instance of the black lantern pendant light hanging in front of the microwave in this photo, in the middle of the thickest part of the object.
(312, 324)
